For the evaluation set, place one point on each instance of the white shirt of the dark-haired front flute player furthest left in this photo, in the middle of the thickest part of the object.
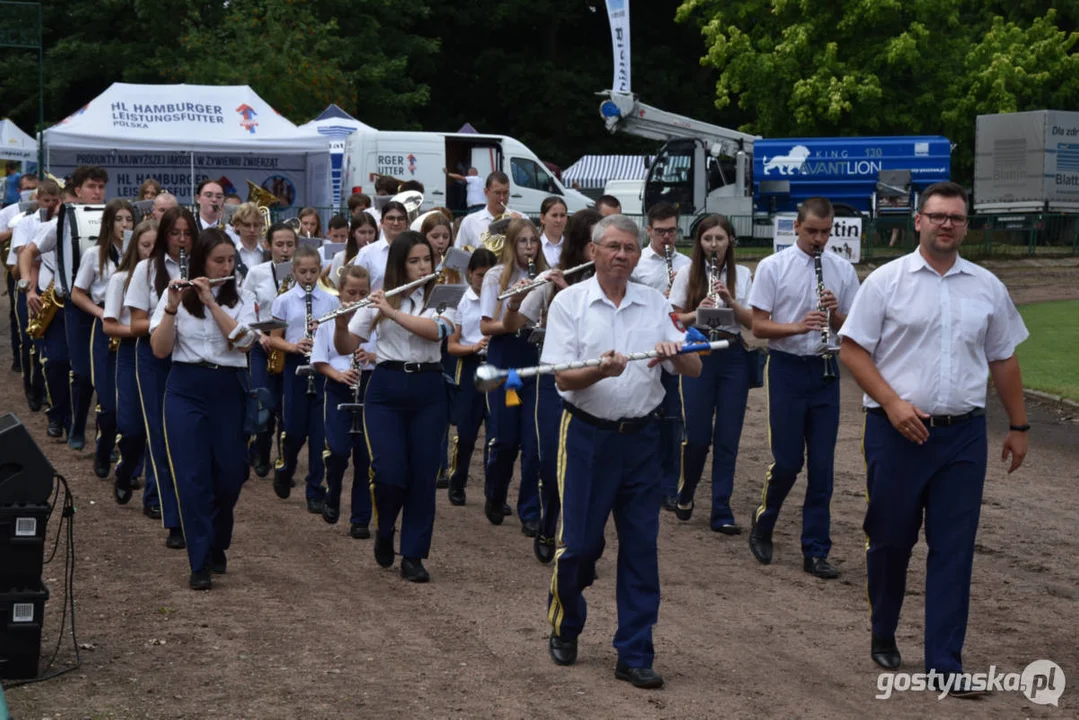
(201, 341)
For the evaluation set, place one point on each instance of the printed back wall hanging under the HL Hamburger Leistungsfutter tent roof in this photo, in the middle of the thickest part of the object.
(284, 175)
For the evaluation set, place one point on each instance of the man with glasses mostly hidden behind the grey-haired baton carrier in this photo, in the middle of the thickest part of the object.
(653, 270)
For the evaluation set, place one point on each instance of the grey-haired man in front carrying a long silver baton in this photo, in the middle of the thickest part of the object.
(608, 445)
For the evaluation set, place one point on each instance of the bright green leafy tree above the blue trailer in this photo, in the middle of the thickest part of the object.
(886, 67)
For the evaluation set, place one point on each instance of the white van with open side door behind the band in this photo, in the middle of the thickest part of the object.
(422, 157)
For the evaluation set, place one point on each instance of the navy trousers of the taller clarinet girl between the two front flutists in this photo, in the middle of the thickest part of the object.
(303, 425)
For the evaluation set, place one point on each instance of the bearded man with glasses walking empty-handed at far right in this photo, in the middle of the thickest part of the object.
(923, 337)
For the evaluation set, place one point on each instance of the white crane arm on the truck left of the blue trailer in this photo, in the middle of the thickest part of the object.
(624, 113)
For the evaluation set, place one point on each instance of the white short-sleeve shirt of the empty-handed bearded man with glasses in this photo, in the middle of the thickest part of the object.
(933, 337)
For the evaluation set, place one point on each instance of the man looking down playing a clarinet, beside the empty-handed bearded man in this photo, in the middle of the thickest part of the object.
(803, 398)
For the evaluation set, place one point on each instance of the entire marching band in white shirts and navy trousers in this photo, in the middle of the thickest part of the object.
(199, 344)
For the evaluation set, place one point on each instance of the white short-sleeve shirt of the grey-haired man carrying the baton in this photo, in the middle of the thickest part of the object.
(583, 324)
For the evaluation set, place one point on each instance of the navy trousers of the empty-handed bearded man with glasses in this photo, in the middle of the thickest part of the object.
(944, 481)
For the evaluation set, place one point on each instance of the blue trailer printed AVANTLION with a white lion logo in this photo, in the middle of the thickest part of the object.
(871, 175)
